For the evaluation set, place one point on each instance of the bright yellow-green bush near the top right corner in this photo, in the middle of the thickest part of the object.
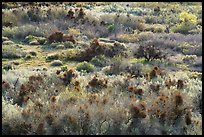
(188, 22)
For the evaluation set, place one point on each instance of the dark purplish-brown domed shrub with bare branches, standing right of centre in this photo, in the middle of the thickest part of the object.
(149, 53)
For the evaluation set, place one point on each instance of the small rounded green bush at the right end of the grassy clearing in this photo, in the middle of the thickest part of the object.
(85, 66)
